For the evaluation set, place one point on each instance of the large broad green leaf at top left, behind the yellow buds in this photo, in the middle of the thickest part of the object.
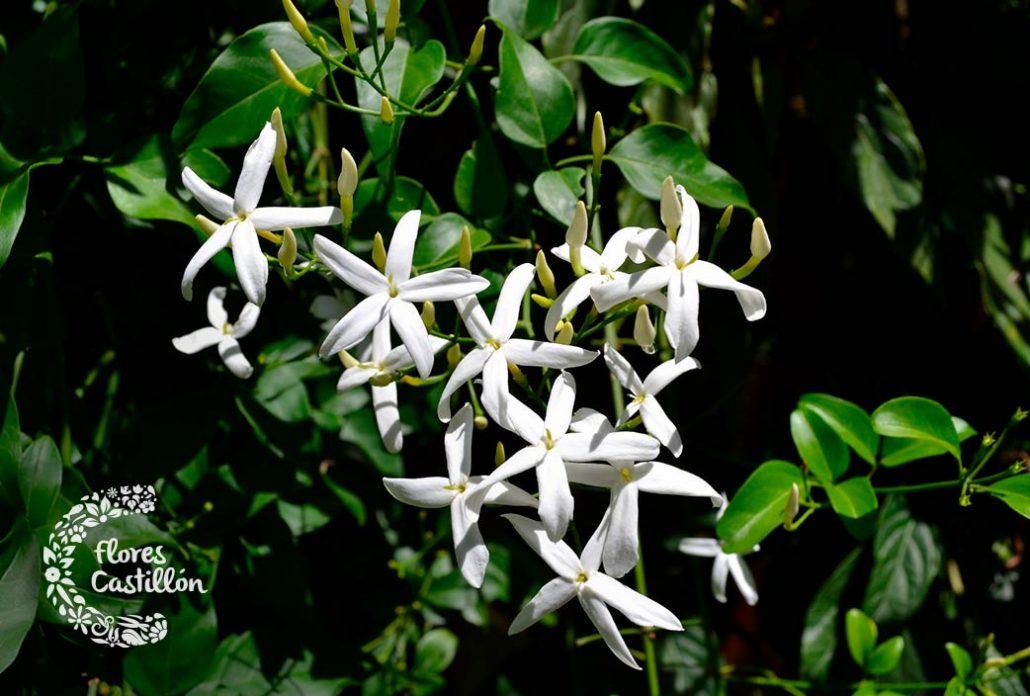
(236, 96)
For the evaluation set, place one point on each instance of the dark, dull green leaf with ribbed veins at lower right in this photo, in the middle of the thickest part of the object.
(907, 560)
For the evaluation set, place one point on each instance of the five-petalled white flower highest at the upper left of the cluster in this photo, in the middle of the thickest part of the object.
(242, 220)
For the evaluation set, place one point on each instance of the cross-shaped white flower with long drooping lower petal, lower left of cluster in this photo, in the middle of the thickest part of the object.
(437, 492)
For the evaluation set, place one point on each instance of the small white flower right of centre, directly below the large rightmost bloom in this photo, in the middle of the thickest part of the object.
(645, 395)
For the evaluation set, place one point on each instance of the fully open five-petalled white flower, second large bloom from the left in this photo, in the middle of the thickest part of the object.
(393, 294)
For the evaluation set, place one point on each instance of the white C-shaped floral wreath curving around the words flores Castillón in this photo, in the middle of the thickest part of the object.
(93, 511)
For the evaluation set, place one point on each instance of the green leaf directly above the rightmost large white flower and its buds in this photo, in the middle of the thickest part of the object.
(648, 155)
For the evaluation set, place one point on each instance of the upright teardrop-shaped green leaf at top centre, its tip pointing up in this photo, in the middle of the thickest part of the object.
(535, 102)
